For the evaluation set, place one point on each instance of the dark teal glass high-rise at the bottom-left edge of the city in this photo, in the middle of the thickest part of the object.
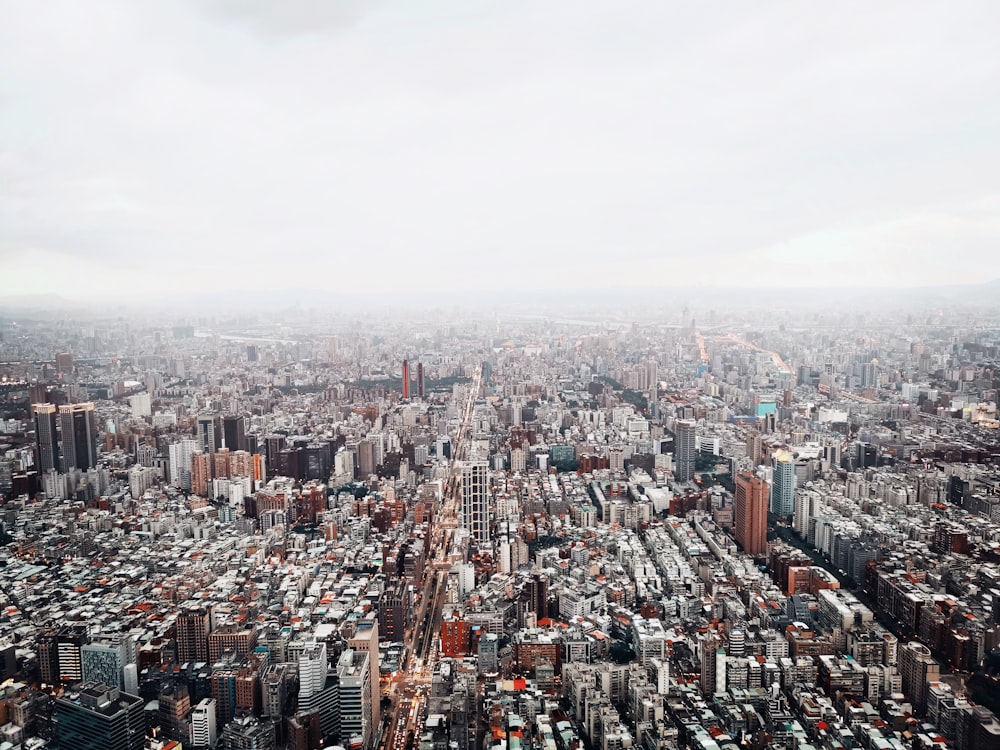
(99, 717)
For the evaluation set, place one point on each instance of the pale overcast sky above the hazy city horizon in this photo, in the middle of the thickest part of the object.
(160, 148)
